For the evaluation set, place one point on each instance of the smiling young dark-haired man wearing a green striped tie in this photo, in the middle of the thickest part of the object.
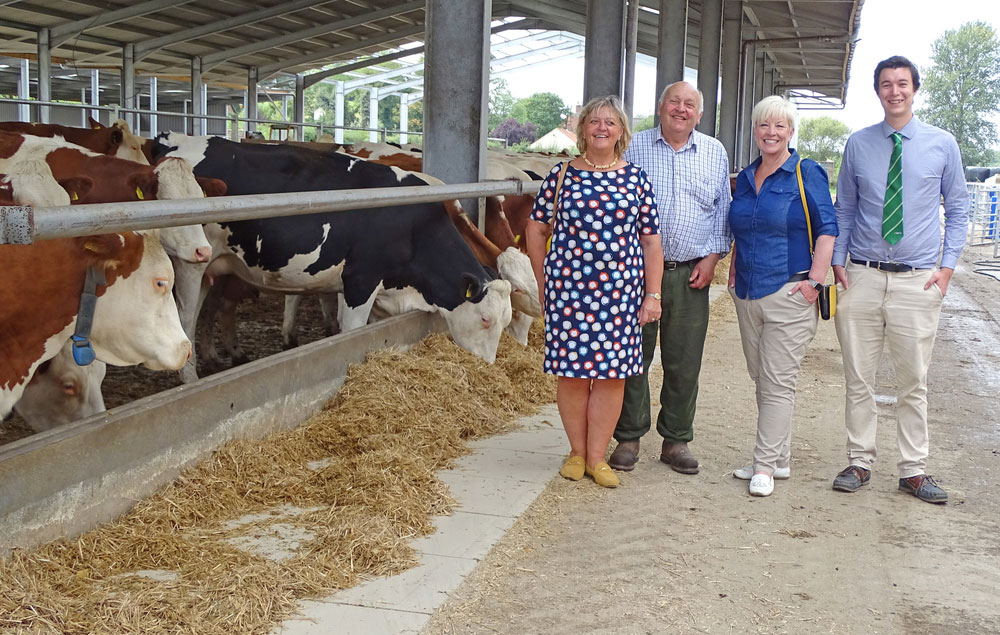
(895, 271)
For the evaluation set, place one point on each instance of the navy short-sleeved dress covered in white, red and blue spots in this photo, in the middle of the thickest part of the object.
(594, 270)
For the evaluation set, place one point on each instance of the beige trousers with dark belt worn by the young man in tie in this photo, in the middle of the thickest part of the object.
(882, 308)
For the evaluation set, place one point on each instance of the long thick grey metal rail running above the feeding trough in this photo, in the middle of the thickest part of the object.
(24, 225)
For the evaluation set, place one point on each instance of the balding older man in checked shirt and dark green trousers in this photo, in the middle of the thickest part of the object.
(690, 176)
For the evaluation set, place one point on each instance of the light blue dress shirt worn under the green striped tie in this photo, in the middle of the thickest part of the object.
(932, 168)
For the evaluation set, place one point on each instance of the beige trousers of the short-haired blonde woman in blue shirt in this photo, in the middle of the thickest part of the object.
(775, 330)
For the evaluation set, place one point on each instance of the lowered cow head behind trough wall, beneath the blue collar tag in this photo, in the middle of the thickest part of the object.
(61, 392)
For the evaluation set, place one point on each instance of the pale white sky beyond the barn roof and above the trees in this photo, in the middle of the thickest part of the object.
(886, 29)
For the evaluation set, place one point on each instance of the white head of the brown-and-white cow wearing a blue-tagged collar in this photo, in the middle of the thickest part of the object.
(136, 319)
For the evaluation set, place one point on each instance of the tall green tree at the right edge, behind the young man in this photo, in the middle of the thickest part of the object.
(962, 88)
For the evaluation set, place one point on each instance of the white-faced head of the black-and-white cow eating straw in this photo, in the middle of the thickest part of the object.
(476, 325)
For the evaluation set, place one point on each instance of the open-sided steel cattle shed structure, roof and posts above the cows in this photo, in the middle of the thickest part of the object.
(203, 58)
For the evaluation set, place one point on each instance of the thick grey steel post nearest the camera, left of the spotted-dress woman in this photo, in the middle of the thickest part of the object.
(456, 92)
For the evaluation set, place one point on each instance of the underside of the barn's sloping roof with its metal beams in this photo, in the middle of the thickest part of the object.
(809, 41)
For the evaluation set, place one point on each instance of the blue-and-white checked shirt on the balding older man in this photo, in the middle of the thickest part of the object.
(692, 192)
